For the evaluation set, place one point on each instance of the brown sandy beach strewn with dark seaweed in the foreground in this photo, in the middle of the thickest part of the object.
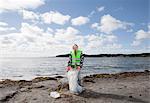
(125, 87)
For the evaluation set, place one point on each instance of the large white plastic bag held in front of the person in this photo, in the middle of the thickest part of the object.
(73, 76)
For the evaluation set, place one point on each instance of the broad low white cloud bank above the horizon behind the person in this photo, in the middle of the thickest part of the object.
(35, 41)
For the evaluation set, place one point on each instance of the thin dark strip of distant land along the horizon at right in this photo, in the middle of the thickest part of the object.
(111, 55)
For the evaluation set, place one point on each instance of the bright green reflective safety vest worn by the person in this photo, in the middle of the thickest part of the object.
(76, 58)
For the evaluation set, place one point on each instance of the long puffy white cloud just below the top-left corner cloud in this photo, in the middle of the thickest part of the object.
(47, 17)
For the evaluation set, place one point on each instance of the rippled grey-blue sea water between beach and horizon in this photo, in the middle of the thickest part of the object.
(28, 68)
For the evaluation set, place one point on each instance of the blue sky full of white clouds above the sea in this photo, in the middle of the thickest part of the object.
(41, 28)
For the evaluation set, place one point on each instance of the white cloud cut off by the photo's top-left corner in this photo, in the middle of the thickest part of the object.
(13, 5)
